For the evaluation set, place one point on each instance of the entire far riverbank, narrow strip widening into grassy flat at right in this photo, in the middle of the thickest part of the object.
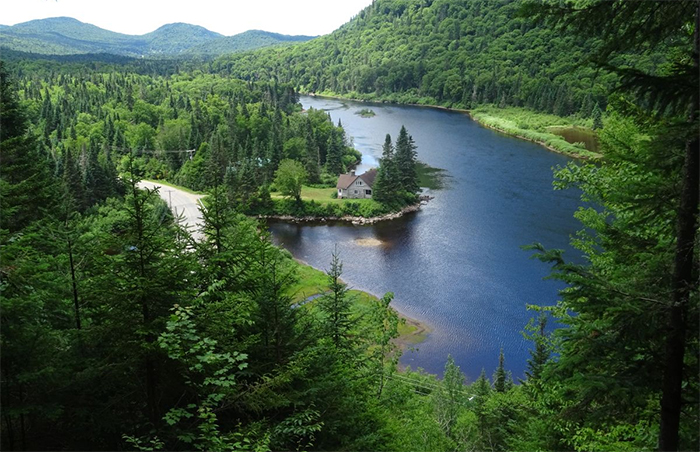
(501, 120)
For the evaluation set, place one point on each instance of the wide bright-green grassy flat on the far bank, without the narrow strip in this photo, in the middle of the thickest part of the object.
(535, 127)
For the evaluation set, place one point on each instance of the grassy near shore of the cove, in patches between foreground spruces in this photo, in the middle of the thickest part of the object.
(313, 282)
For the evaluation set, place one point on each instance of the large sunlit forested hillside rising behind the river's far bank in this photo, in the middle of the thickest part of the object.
(446, 52)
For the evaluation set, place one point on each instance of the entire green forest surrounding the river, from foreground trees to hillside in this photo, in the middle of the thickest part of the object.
(119, 331)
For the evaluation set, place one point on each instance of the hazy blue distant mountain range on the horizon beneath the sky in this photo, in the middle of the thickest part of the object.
(68, 36)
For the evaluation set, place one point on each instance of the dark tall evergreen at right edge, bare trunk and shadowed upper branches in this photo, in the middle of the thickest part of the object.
(639, 26)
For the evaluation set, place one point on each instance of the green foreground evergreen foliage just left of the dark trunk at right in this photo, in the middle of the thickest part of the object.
(614, 341)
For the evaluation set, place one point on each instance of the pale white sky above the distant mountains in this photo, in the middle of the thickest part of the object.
(136, 17)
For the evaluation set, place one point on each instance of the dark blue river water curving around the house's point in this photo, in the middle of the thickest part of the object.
(457, 264)
